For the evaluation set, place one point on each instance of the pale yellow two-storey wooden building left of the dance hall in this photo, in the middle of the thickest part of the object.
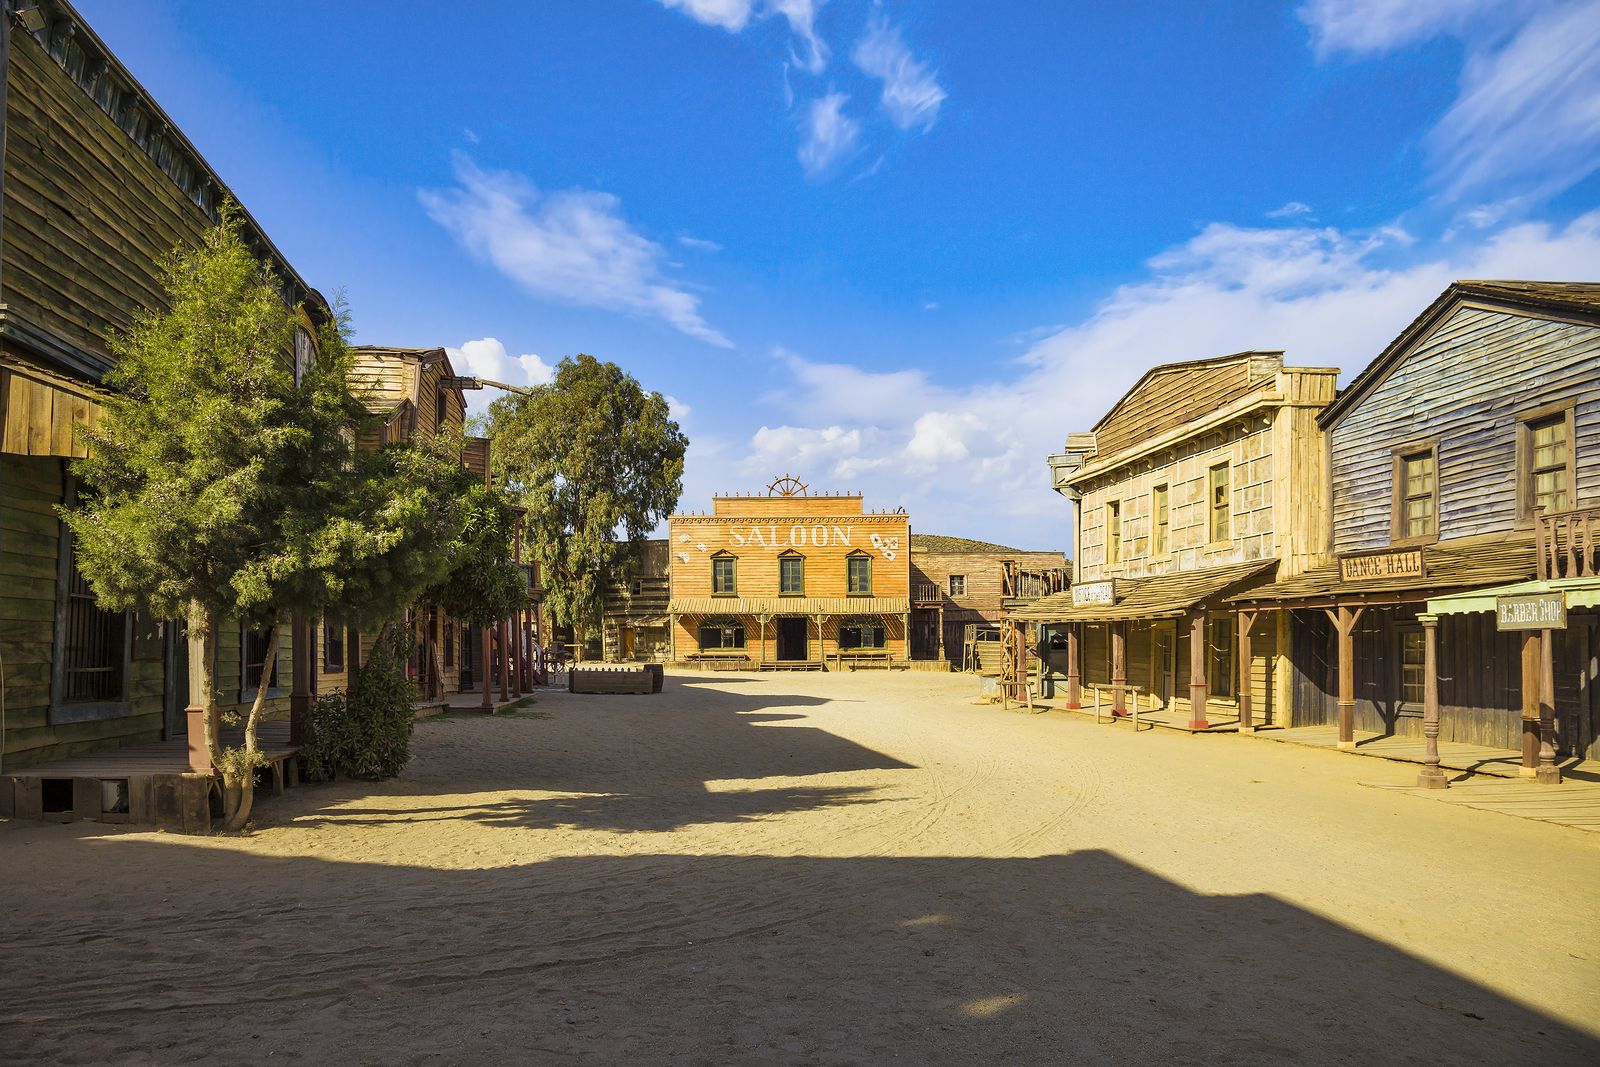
(1206, 479)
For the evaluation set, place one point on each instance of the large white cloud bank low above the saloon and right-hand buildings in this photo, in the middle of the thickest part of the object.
(972, 460)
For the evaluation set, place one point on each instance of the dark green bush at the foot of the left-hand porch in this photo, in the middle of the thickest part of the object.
(369, 733)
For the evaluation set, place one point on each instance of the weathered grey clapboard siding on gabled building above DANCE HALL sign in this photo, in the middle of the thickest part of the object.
(1465, 386)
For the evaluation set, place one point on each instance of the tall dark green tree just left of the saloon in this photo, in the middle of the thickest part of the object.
(598, 463)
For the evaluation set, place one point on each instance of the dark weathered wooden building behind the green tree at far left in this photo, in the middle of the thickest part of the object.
(98, 186)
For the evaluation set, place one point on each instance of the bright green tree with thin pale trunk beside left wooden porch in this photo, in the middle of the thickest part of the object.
(222, 487)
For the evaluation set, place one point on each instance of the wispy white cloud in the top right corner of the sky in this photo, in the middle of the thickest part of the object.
(1529, 108)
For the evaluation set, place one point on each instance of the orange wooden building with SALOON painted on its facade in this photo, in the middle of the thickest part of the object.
(790, 580)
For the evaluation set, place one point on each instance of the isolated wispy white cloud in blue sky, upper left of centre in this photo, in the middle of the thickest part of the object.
(572, 247)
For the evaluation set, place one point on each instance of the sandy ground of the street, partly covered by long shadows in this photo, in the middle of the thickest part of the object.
(815, 869)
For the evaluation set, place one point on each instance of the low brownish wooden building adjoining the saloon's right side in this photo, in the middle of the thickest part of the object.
(958, 583)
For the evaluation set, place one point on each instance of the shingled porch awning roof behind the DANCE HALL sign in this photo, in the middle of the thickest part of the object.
(1458, 564)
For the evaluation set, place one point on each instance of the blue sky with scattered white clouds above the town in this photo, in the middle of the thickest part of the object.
(892, 247)
